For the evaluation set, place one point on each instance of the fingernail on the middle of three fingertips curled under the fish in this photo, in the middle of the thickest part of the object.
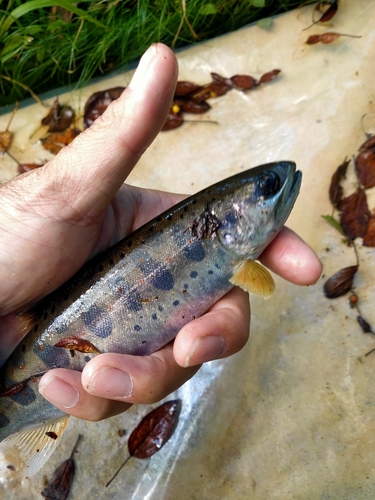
(111, 383)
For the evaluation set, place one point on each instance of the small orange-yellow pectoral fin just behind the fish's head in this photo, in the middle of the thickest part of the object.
(253, 278)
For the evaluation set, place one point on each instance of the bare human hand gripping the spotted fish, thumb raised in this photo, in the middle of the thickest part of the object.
(55, 218)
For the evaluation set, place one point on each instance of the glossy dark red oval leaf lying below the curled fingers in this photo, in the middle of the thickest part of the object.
(154, 430)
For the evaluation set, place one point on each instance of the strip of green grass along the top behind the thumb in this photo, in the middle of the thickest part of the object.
(46, 44)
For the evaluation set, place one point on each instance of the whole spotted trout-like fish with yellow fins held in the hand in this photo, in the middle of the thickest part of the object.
(135, 297)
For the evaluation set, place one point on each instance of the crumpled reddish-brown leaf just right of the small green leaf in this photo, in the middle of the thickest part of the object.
(355, 214)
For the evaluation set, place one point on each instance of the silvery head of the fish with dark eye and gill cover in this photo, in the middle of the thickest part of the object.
(255, 206)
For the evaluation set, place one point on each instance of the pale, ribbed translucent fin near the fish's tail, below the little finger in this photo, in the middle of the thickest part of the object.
(37, 444)
